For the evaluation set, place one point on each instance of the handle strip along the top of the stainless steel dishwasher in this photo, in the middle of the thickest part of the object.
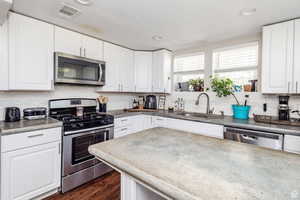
(247, 132)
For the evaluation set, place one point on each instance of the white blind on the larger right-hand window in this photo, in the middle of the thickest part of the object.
(239, 57)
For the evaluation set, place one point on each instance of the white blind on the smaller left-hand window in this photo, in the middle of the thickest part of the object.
(189, 63)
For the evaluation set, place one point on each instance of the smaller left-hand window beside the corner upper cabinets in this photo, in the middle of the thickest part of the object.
(188, 67)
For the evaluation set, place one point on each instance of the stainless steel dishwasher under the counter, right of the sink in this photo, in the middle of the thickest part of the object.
(259, 138)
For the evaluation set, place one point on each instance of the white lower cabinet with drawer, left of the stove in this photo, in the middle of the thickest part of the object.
(31, 171)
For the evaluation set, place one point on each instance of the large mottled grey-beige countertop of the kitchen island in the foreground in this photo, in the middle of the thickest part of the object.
(187, 166)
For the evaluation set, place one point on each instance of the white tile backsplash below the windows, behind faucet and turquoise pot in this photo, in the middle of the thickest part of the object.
(255, 100)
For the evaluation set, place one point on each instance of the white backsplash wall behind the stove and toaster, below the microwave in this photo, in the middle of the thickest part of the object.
(36, 99)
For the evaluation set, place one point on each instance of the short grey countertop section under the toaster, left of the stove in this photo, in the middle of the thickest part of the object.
(8, 128)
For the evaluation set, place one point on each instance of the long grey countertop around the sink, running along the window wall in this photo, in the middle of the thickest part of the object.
(226, 121)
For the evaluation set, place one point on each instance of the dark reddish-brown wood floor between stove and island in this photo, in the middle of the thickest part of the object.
(106, 187)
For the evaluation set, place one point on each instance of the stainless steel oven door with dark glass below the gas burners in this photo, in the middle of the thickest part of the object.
(75, 149)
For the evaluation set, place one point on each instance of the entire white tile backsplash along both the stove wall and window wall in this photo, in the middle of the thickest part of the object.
(121, 101)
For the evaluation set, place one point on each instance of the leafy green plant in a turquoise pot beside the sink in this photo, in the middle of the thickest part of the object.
(225, 87)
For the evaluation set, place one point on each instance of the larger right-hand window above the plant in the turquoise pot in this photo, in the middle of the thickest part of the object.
(238, 63)
